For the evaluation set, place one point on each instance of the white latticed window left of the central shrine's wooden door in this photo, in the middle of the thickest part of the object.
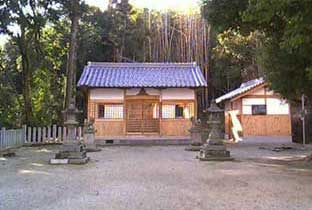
(110, 111)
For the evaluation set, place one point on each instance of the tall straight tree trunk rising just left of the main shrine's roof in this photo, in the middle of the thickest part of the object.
(72, 58)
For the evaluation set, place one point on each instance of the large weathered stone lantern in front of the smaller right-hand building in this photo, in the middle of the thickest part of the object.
(214, 149)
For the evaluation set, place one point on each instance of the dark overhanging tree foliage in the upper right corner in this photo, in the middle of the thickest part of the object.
(286, 53)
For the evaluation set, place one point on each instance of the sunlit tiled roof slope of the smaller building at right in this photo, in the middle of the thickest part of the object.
(242, 89)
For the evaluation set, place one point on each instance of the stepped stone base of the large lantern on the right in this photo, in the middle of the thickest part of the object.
(214, 152)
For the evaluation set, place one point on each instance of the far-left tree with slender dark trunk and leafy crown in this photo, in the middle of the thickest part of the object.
(23, 21)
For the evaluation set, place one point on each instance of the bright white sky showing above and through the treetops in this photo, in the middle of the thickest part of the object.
(163, 5)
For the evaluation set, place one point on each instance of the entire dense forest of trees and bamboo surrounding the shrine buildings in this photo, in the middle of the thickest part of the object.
(232, 41)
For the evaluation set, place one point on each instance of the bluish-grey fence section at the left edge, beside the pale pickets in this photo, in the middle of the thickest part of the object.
(11, 138)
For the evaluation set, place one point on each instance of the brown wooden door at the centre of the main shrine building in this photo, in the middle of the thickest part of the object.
(141, 116)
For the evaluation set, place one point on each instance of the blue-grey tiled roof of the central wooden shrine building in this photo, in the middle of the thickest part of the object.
(142, 75)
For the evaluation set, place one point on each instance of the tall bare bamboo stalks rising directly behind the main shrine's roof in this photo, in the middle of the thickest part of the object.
(167, 37)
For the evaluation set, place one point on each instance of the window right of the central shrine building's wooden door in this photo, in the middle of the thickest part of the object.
(178, 111)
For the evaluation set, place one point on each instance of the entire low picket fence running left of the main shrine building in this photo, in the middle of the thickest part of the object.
(35, 136)
